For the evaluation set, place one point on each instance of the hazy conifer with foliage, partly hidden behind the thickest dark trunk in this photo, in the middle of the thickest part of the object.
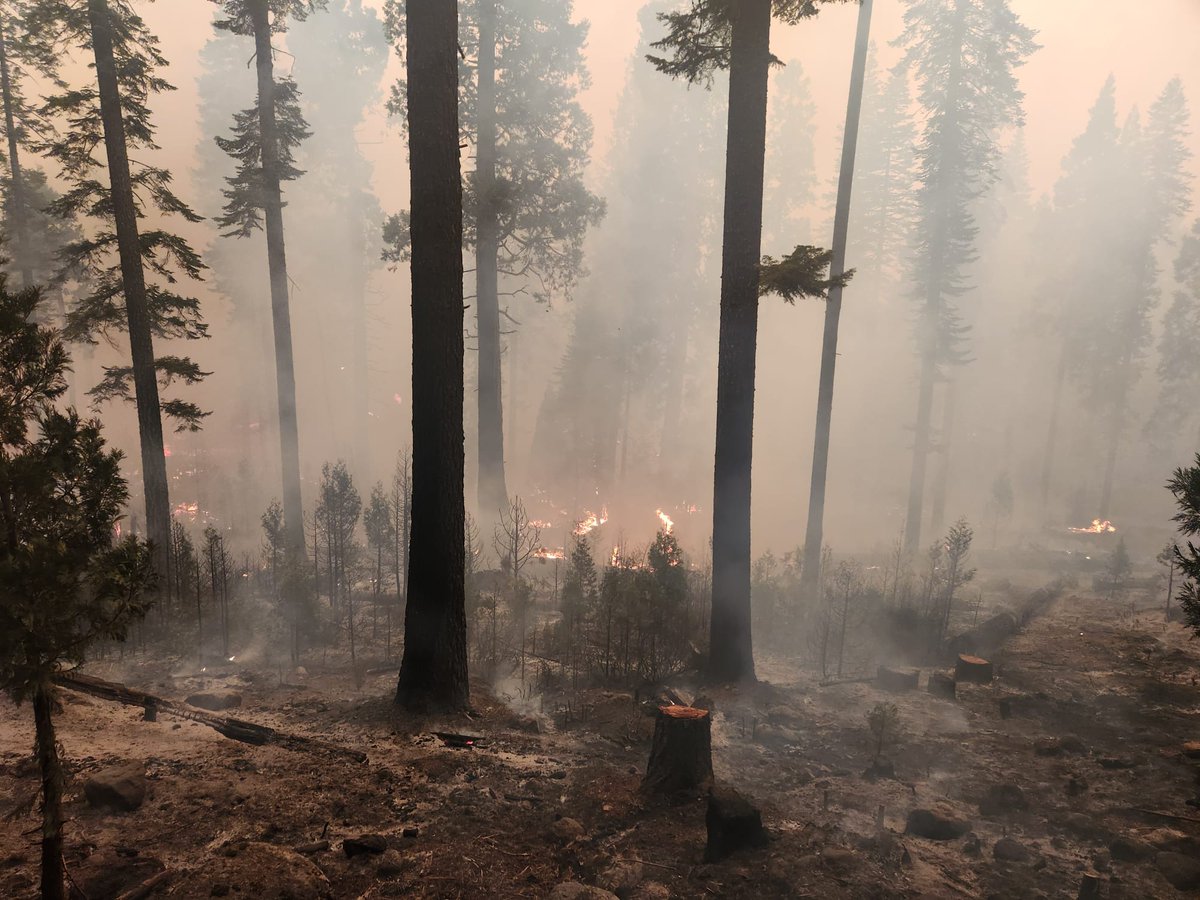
(526, 203)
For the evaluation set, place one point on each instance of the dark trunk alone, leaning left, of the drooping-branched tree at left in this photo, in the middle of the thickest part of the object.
(125, 214)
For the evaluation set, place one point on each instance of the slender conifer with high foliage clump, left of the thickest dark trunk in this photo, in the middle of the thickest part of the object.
(263, 143)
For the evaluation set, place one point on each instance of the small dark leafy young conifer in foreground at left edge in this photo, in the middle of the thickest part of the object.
(65, 581)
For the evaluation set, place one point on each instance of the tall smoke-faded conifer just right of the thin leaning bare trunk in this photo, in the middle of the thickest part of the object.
(964, 56)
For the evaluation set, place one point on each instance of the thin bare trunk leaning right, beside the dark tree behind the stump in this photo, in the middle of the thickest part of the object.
(811, 573)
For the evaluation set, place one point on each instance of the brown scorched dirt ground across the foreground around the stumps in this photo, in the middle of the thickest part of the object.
(1089, 717)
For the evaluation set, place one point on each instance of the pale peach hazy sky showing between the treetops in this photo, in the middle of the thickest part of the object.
(1083, 41)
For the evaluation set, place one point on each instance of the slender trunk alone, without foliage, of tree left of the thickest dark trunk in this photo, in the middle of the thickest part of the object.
(278, 266)
